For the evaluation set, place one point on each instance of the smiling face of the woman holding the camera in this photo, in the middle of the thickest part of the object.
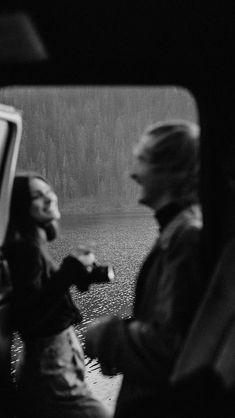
(44, 203)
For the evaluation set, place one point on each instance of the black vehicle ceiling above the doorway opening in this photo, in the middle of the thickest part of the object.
(101, 42)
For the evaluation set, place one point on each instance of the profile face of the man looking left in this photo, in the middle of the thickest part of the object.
(153, 190)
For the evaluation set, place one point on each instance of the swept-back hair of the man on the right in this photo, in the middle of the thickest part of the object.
(172, 149)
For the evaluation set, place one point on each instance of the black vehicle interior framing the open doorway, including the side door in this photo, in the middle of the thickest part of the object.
(185, 44)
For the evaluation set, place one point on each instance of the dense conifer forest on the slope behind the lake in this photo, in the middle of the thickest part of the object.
(81, 139)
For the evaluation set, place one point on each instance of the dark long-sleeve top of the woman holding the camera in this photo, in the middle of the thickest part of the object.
(41, 303)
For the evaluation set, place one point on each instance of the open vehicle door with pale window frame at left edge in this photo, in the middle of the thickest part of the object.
(10, 136)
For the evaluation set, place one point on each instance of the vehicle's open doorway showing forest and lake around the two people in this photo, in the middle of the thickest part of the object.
(81, 139)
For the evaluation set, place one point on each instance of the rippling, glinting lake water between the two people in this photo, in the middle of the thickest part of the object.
(124, 241)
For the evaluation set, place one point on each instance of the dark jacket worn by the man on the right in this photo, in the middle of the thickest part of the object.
(144, 348)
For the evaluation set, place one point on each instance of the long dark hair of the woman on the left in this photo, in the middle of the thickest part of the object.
(20, 223)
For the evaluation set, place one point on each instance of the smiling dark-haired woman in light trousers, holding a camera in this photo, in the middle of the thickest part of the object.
(51, 378)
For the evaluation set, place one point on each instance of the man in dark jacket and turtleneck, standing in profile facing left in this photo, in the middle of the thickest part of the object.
(144, 348)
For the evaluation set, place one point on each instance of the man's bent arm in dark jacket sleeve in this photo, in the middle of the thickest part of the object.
(148, 348)
